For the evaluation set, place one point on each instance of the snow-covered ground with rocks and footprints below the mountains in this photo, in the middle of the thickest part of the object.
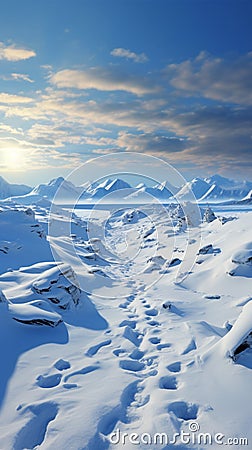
(143, 326)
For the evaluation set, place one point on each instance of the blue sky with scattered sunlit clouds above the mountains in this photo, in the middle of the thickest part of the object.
(81, 79)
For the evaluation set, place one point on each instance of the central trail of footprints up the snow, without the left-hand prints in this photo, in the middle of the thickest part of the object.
(143, 366)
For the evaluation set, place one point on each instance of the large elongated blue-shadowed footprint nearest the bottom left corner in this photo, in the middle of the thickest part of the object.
(33, 433)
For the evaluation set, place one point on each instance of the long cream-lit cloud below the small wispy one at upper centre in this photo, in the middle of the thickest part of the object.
(102, 80)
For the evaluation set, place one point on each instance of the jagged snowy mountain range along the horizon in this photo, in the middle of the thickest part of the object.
(214, 188)
